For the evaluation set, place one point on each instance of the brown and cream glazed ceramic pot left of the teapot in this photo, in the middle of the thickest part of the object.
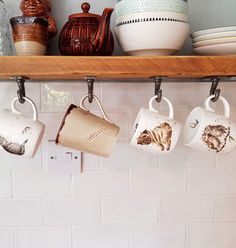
(30, 35)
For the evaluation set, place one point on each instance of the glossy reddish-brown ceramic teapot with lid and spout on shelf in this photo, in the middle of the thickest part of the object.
(87, 34)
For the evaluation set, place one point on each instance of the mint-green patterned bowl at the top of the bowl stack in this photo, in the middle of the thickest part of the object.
(126, 7)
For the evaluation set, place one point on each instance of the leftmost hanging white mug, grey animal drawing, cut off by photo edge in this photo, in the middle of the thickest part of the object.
(20, 134)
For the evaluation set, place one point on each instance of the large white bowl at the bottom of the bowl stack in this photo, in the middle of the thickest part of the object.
(152, 38)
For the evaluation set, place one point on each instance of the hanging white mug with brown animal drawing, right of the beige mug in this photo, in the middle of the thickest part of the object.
(154, 132)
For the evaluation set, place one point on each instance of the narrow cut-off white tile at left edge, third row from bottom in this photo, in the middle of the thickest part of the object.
(5, 184)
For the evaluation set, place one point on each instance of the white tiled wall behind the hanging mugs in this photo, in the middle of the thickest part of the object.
(133, 199)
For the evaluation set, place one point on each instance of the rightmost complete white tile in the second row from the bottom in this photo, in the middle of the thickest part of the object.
(186, 209)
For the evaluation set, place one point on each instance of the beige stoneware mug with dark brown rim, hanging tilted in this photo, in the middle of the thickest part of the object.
(84, 131)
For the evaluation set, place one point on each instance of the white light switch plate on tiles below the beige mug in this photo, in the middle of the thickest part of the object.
(58, 159)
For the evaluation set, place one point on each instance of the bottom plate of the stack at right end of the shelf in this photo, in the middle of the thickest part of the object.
(218, 49)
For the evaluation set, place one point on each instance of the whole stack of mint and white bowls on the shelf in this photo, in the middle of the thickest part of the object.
(151, 27)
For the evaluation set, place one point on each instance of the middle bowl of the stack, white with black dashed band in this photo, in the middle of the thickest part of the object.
(151, 16)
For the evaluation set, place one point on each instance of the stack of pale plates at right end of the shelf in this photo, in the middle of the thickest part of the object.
(215, 41)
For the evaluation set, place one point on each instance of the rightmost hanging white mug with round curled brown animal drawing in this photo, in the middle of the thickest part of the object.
(206, 130)
